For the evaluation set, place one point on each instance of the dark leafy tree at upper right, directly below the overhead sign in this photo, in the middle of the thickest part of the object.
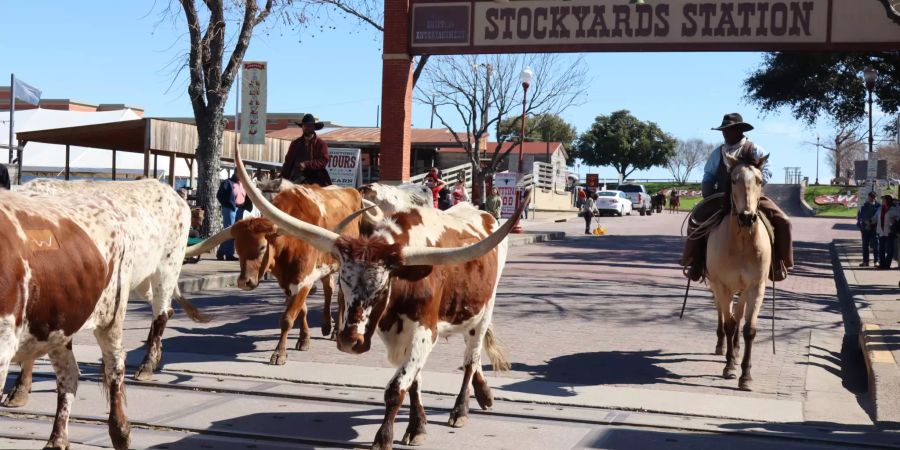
(830, 85)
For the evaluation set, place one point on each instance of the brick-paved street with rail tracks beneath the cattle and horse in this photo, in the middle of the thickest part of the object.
(597, 348)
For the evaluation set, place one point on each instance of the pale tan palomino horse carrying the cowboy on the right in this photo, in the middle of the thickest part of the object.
(739, 257)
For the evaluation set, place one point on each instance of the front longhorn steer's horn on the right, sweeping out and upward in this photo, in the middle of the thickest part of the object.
(430, 256)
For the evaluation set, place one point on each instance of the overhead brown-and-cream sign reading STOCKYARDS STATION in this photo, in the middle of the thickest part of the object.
(657, 25)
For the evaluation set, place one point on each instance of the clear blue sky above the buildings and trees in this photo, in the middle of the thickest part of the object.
(114, 51)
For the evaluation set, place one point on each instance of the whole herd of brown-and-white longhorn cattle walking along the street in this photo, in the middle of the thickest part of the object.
(74, 253)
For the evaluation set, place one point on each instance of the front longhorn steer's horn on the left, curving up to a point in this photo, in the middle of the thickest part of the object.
(318, 237)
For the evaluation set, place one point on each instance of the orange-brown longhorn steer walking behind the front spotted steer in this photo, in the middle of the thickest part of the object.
(294, 263)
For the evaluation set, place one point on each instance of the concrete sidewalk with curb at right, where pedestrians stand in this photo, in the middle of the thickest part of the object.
(876, 296)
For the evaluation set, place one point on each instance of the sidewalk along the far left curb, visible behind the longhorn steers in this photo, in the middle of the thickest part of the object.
(211, 274)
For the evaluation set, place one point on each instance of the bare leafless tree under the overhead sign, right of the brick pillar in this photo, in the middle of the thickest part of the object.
(471, 95)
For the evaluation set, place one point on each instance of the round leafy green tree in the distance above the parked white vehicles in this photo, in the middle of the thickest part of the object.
(622, 141)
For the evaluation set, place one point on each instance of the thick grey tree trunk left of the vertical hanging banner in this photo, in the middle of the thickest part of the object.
(209, 150)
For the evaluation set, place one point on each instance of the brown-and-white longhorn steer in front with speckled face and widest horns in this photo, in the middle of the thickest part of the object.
(421, 274)
